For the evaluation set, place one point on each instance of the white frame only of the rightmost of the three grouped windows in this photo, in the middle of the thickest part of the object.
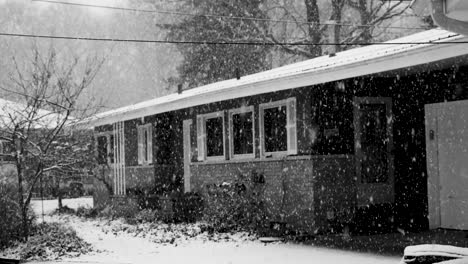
(291, 127)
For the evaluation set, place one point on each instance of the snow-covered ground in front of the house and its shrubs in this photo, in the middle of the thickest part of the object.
(117, 242)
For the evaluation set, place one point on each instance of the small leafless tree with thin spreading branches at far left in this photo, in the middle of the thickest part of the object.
(38, 128)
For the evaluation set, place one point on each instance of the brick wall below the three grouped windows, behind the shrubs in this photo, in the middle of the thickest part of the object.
(299, 179)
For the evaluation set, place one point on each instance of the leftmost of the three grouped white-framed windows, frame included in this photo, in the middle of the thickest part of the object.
(210, 136)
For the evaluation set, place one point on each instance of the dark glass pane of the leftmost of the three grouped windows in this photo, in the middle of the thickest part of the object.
(214, 137)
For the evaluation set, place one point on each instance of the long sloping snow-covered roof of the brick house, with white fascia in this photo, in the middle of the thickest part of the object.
(396, 54)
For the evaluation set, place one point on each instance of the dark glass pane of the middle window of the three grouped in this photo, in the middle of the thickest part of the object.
(242, 133)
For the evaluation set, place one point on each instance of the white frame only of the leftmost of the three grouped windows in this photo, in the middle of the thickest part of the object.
(201, 136)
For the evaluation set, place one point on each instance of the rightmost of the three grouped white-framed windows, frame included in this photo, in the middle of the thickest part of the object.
(278, 134)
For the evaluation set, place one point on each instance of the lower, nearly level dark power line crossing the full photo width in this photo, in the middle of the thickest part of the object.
(250, 43)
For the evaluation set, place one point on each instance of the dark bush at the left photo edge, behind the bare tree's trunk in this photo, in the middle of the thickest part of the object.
(10, 215)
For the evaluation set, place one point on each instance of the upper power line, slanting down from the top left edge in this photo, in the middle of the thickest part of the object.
(219, 16)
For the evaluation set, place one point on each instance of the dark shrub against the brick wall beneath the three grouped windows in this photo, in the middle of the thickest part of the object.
(235, 206)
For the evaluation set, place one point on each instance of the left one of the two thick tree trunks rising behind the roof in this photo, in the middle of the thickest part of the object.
(313, 17)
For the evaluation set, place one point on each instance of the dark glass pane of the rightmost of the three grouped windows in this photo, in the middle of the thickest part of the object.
(275, 120)
